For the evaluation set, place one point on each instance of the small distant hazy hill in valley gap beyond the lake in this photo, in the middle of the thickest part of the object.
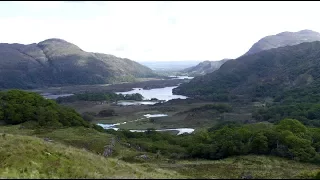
(204, 67)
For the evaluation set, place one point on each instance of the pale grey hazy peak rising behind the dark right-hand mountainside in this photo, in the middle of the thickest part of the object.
(284, 39)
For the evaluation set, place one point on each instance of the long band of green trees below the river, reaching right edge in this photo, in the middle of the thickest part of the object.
(289, 138)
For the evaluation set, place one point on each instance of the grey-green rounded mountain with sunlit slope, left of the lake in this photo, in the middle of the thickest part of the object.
(58, 62)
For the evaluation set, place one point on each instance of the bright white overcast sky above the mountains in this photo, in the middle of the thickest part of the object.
(156, 30)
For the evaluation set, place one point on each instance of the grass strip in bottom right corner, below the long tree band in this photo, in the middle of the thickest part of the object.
(233, 167)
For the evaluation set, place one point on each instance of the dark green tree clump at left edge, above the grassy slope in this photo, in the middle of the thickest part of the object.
(17, 107)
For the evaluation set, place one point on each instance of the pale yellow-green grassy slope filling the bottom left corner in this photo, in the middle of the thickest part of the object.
(31, 157)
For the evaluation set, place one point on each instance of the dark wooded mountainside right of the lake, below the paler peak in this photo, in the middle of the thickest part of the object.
(264, 74)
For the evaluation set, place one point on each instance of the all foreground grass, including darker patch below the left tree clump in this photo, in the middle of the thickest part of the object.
(74, 153)
